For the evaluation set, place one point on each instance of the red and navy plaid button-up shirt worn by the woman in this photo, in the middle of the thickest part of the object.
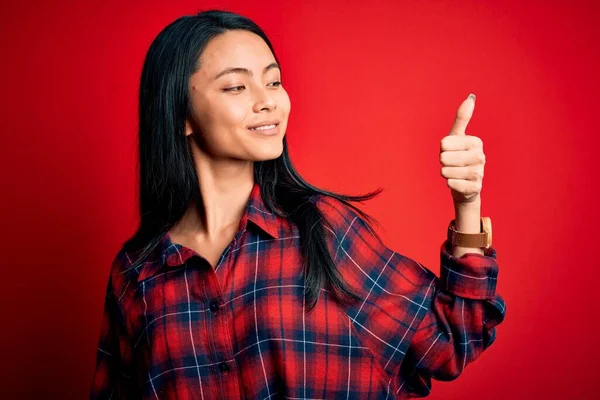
(175, 328)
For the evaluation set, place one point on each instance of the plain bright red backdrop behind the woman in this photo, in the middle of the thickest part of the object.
(374, 88)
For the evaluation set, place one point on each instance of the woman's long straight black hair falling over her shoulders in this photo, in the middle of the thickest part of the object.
(168, 182)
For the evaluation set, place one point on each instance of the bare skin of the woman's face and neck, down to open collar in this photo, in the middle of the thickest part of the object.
(223, 147)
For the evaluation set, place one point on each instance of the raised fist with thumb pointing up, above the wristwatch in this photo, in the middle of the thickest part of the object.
(462, 158)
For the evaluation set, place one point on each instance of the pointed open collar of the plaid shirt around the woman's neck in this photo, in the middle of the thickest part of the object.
(173, 254)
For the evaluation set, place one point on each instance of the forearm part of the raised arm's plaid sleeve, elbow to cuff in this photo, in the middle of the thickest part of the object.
(459, 325)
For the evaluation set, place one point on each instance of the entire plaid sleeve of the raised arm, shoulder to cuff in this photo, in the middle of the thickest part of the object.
(418, 326)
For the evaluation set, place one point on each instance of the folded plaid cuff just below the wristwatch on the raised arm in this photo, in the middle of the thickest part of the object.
(472, 276)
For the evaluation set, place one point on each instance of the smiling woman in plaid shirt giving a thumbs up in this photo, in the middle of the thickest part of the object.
(245, 281)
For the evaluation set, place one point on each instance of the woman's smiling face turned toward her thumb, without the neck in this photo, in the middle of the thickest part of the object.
(227, 104)
